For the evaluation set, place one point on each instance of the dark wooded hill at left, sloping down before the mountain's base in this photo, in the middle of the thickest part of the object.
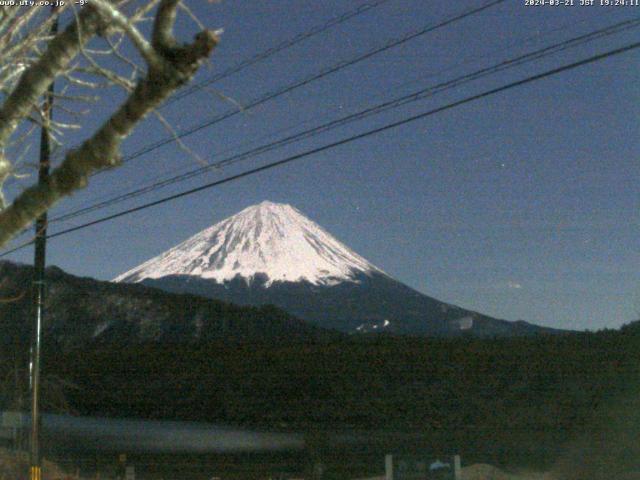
(83, 311)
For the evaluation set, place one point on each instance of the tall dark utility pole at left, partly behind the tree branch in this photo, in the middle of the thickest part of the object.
(39, 287)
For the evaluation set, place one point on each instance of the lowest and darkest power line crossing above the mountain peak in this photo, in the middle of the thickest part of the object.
(352, 138)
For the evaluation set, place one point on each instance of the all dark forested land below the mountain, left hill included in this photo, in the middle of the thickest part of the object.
(539, 400)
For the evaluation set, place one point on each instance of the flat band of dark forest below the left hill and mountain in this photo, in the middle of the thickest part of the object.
(537, 402)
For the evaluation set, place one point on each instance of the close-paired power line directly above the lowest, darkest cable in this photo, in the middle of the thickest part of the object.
(412, 97)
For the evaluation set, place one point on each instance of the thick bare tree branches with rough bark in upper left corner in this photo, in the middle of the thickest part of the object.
(170, 66)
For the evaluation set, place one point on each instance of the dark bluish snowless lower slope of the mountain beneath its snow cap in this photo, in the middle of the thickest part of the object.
(373, 304)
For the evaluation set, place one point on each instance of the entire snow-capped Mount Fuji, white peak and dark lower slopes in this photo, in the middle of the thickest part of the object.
(272, 254)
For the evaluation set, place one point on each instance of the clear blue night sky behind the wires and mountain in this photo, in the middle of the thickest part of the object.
(522, 205)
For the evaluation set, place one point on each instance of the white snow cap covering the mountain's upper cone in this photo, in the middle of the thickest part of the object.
(272, 239)
